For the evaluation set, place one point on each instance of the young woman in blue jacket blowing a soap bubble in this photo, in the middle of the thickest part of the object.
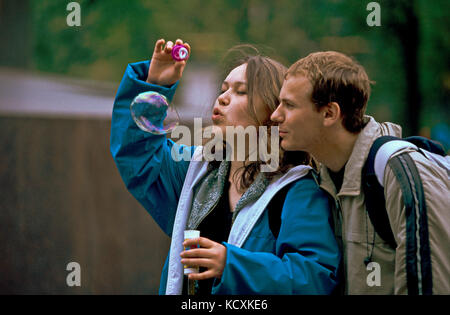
(228, 201)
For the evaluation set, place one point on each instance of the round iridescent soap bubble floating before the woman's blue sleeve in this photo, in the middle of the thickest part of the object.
(152, 113)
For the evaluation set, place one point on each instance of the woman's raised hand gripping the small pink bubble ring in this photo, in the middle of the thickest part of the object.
(163, 69)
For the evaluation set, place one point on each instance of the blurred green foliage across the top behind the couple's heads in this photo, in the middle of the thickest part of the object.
(116, 32)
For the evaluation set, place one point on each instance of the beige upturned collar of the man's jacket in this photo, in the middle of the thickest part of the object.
(351, 185)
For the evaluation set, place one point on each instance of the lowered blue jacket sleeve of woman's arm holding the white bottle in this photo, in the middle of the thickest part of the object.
(307, 255)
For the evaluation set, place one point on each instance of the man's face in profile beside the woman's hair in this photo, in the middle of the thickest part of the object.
(300, 124)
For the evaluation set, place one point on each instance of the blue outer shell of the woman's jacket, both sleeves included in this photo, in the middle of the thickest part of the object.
(303, 259)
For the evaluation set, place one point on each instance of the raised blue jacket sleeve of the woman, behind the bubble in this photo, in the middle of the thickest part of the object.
(144, 160)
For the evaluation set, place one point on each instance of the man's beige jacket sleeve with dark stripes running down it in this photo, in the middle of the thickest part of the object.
(423, 236)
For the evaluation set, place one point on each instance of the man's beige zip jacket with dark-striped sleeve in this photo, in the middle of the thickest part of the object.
(388, 272)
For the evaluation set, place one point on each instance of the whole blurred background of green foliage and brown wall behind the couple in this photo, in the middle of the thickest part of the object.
(61, 197)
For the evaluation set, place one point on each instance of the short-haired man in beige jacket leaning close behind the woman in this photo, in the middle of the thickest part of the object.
(322, 111)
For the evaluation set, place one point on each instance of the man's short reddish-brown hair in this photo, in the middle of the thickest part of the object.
(338, 78)
